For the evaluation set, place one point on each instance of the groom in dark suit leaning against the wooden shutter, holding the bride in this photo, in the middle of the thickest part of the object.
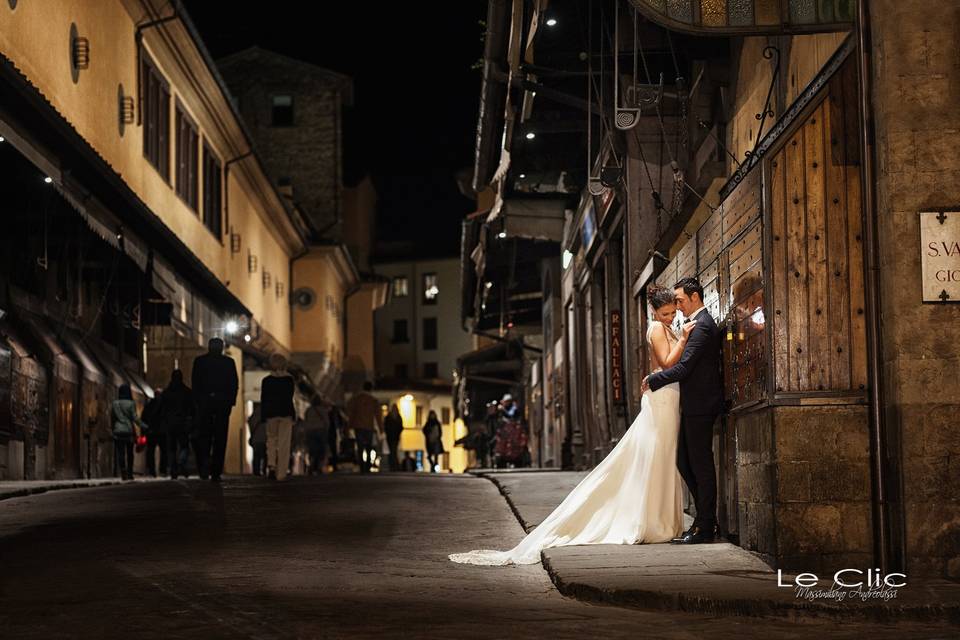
(701, 401)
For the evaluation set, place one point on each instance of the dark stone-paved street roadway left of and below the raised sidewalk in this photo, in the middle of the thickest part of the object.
(341, 556)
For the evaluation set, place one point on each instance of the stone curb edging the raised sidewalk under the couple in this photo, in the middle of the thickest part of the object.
(795, 610)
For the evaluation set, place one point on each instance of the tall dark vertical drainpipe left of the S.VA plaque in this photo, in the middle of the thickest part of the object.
(878, 429)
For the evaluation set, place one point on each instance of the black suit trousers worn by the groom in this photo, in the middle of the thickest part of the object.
(695, 462)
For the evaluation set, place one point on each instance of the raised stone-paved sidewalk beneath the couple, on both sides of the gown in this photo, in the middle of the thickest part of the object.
(719, 578)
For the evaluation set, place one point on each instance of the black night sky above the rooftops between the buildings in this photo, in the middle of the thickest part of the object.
(413, 123)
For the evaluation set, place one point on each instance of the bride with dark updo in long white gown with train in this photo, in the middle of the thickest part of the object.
(634, 494)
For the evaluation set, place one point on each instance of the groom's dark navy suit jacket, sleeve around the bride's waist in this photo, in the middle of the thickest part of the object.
(698, 372)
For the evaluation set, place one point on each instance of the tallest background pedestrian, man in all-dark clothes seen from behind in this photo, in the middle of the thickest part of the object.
(215, 386)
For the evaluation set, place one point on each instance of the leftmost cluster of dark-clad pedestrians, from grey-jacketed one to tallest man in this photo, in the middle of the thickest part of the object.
(178, 417)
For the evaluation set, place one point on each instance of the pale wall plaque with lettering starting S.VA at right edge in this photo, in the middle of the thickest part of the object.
(940, 255)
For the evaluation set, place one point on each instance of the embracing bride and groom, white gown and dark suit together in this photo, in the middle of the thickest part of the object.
(634, 495)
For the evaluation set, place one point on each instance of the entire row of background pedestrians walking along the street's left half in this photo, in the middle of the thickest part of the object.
(179, 418)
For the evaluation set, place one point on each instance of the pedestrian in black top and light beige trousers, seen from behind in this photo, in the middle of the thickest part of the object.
(276, 406)
